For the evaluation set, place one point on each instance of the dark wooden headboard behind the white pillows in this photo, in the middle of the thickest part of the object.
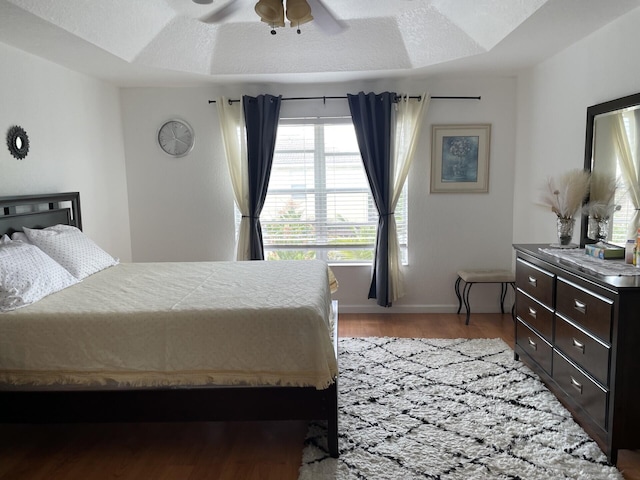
(39, 211)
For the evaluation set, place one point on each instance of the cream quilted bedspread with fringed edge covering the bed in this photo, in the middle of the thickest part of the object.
(152, 324)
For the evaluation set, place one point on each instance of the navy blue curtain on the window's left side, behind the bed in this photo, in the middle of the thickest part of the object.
(261, 116)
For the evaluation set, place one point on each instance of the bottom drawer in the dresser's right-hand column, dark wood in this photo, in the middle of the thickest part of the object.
(586, 392)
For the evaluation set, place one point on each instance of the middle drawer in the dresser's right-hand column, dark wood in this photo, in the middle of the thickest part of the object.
(588, 352)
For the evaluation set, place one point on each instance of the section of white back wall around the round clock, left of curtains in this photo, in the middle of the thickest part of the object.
(181, 208)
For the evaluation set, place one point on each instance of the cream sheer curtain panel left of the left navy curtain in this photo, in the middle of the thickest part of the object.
(235, 147)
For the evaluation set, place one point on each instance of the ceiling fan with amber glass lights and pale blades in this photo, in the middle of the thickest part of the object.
(272, 12)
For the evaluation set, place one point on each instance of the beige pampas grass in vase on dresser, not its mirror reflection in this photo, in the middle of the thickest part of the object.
(566, 193)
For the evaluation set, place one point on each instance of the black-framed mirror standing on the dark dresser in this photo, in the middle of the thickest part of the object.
(612, 150)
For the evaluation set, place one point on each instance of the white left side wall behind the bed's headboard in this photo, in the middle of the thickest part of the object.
(75, 135)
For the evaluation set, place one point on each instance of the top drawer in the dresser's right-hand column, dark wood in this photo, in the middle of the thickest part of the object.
(591, 311)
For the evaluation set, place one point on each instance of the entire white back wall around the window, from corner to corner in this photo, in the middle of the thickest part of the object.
(182, 209)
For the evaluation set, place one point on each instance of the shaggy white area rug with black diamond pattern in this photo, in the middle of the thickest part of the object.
(447, 409)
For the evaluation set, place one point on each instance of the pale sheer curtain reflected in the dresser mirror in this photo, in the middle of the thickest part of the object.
(629, 169)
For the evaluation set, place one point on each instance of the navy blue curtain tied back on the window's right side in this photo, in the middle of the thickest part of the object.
(371, 115)
